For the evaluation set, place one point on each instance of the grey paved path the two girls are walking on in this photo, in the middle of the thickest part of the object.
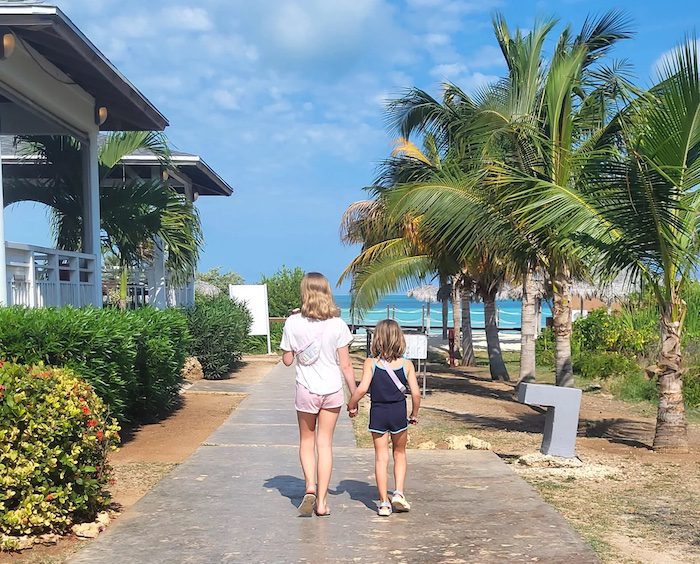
(234, 501)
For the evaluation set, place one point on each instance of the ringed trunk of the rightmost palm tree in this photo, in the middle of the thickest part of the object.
(671, 429)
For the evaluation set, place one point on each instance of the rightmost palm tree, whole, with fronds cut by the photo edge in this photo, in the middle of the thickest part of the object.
(639, 211)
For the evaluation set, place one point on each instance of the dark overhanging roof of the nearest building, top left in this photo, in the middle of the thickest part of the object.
(49, 32)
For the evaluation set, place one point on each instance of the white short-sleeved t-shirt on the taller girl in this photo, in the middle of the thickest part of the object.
(323, 376)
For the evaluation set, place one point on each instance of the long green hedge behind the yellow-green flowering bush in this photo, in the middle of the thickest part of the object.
(132, 359)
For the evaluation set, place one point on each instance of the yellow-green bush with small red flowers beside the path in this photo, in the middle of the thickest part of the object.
(55, 433)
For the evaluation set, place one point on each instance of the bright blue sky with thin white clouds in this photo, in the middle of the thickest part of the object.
(284, 98)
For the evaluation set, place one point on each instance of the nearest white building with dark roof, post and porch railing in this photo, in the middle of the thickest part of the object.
(53, 81)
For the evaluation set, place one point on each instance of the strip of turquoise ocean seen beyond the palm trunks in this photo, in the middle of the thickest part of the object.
(409, 311)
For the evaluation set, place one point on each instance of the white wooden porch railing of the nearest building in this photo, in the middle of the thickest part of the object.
(44, 277)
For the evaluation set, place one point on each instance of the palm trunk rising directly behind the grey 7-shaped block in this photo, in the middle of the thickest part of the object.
(561, 307)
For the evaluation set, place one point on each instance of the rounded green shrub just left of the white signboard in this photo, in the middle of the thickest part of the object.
(219, 327)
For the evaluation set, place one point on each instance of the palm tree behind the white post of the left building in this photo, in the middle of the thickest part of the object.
(136, 214)
